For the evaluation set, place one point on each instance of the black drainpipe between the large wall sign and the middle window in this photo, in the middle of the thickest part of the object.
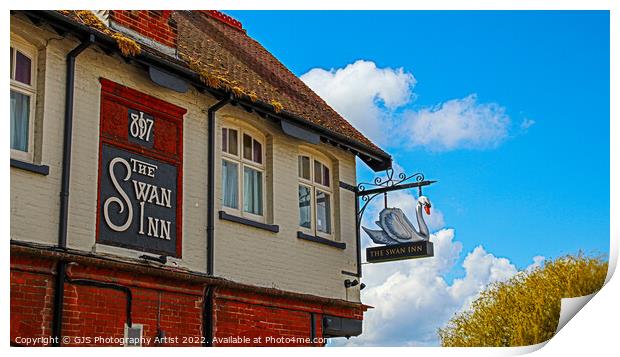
(211, 180)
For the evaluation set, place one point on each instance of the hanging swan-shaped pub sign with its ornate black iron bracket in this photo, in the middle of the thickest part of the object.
(398, 237)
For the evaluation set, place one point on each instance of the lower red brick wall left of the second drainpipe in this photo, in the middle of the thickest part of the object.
(91, 312)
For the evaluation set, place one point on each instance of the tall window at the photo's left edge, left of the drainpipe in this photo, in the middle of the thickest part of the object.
(23, 89)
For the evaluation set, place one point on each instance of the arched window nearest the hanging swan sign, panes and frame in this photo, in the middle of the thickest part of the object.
(315, 196)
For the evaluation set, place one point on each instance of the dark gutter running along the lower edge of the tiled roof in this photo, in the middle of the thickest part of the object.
(376, 159)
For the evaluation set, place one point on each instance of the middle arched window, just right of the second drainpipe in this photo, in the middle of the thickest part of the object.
(243, 172)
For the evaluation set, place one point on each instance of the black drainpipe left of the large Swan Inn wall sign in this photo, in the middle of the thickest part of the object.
(64, 189)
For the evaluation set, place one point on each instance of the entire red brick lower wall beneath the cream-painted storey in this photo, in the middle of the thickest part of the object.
(91, 312)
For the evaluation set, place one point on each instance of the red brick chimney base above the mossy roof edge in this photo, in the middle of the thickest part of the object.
(154, 24)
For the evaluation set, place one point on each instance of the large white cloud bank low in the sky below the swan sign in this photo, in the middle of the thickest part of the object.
(412, 299)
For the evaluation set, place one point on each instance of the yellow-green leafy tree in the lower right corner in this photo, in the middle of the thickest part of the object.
(524, 310)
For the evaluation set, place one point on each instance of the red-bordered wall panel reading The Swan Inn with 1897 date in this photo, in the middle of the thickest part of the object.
(139, 204)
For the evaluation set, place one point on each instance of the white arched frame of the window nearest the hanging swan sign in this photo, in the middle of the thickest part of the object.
(314, 186)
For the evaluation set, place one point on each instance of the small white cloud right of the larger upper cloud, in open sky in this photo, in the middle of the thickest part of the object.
(457, 123)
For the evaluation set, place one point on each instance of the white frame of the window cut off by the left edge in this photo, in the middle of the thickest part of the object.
(30, 51)
